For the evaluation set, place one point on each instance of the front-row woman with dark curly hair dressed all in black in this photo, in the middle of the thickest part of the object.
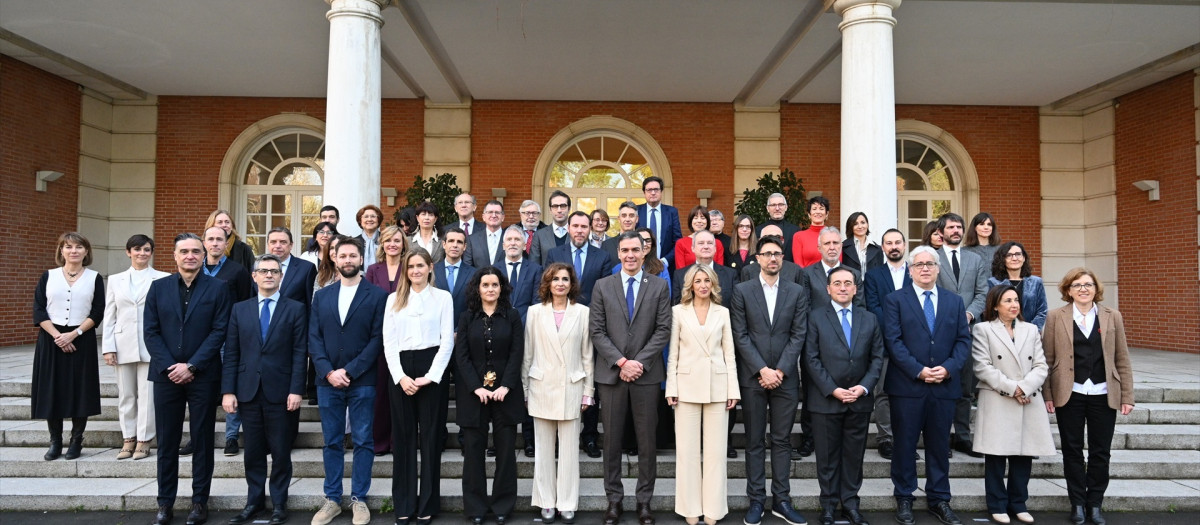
(489, 352)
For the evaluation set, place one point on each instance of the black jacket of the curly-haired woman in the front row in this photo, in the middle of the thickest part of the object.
(471, 363)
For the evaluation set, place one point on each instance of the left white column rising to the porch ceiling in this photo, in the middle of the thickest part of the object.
(352, 108)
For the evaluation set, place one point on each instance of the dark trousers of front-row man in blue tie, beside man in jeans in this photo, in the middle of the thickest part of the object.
(268, 429)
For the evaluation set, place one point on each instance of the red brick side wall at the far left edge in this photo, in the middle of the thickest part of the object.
(40, 131)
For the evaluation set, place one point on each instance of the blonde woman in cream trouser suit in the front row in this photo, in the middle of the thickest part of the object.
(703, 385)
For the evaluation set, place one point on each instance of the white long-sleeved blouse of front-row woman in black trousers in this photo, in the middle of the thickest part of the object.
(427, 322)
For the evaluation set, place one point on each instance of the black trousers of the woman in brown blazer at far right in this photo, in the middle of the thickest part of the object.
(1087, 485)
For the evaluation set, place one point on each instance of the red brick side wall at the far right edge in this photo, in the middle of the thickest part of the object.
(1157, 269)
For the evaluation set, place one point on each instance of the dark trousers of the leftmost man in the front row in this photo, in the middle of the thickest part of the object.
(170, 400)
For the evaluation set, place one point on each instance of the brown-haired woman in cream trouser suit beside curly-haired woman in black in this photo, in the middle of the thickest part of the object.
(557, 378)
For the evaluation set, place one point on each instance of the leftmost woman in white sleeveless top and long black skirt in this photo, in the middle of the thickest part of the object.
(69, 305)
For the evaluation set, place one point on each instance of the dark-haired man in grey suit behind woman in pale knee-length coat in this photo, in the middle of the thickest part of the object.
(967, 275)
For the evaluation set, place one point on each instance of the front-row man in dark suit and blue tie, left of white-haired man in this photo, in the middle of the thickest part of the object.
(844, 359)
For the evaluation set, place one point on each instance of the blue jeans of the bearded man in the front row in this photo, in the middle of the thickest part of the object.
(334, 405)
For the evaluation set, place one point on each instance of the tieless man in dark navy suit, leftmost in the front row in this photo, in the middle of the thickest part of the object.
(185, 328)
